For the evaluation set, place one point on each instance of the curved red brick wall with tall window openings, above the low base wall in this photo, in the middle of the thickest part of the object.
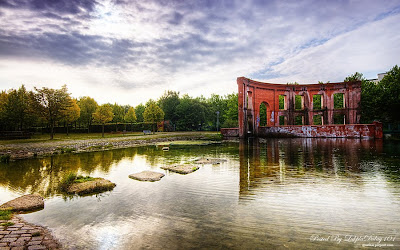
(296, 104)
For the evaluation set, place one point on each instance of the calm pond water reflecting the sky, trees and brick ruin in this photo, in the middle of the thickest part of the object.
(274, 194)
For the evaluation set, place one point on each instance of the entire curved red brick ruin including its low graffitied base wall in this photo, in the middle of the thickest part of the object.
(306, 110)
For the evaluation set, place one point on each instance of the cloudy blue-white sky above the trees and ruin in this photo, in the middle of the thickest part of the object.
(129, 51)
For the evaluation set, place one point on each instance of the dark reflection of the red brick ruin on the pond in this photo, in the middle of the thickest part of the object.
(274, 160)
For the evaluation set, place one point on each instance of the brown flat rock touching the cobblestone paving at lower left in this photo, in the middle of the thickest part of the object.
(28, 202)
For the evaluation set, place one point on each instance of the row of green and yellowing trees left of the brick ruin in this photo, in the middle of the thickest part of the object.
(21, 109)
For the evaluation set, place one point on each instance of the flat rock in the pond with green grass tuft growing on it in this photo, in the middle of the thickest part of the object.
(95, 186)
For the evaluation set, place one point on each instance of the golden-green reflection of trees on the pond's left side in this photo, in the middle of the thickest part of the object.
(43, 175)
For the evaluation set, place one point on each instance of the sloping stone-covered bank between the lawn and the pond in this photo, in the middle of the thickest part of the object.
(18, 151)
